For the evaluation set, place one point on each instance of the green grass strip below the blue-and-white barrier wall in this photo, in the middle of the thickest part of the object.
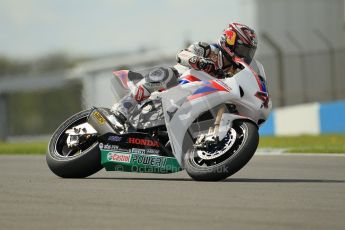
(306, 144)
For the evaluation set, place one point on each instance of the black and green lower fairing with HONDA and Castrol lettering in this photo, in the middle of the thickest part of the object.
(135, 152)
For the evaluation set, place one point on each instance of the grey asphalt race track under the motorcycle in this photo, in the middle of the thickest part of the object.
(271, 192)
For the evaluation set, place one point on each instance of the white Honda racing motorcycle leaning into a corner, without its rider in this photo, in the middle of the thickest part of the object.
(205, 125)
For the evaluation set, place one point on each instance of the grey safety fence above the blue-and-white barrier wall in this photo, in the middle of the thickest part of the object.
(303, 77)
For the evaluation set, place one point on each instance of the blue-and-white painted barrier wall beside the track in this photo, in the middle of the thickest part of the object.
(306, 119)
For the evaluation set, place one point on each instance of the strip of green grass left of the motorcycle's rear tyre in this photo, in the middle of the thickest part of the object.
(23, 148)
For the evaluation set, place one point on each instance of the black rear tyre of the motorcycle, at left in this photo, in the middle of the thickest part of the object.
(79, 162)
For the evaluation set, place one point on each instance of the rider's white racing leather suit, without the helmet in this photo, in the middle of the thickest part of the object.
(199, 56)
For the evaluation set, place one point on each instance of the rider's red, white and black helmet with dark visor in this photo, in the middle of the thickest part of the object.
(238, 40)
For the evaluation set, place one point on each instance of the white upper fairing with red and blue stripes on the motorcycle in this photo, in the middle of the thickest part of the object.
(182, 106)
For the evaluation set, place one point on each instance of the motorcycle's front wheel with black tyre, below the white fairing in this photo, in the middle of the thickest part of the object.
(225, 159)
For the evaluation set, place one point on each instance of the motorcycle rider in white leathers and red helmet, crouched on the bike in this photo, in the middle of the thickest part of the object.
(237, 41)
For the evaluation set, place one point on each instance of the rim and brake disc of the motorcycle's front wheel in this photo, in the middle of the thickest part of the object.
(231, 144)
